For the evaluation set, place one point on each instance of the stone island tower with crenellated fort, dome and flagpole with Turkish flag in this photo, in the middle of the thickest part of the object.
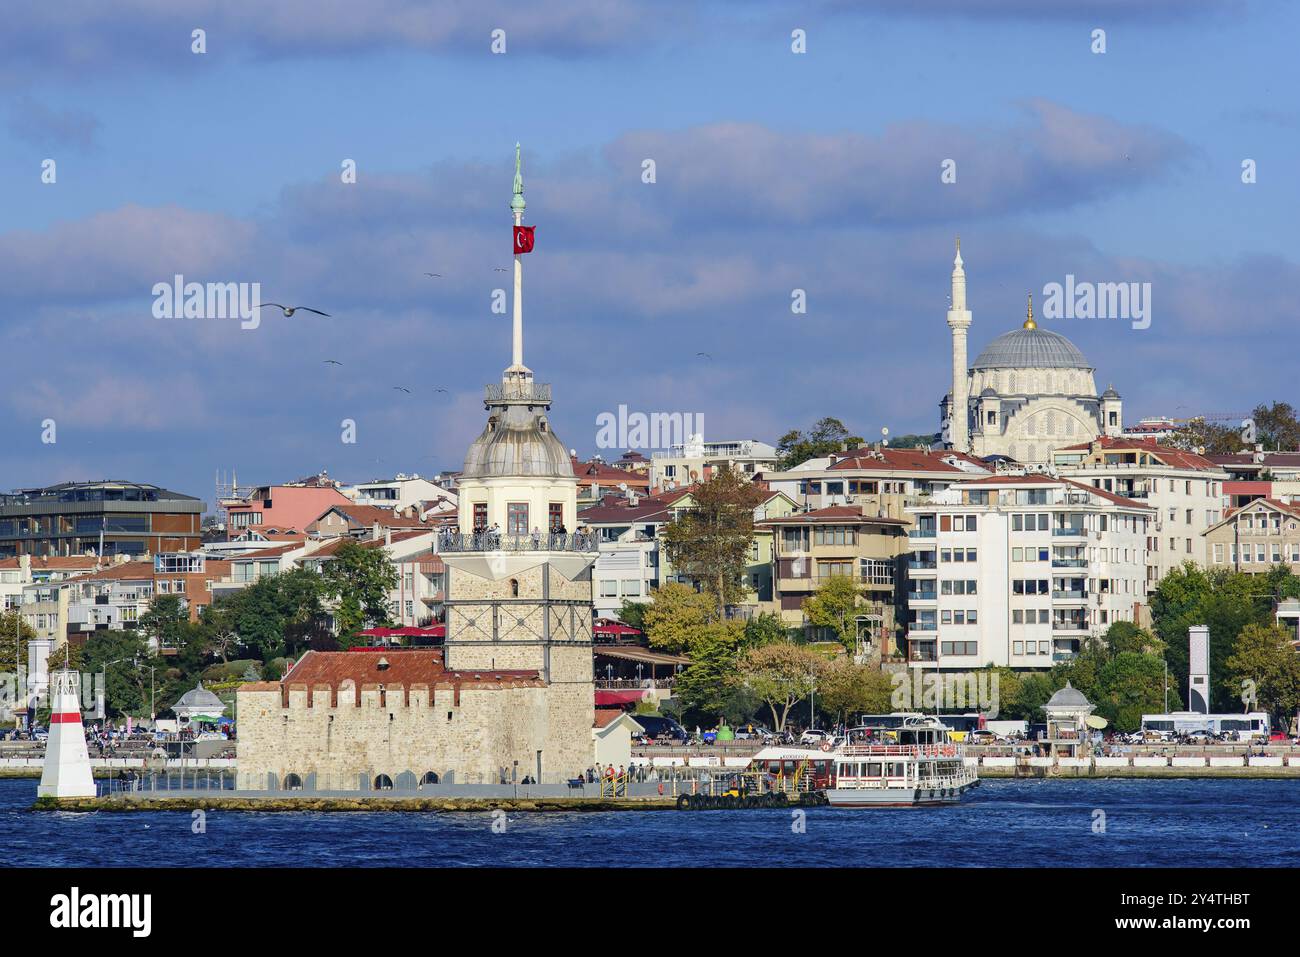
(510, 696)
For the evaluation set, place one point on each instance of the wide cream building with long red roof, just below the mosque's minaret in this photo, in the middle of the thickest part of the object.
(881, 479)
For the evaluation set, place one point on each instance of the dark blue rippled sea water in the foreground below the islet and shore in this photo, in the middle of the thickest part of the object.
(1003, 824)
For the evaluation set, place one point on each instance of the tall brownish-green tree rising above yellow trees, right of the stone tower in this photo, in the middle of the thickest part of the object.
(712, 542)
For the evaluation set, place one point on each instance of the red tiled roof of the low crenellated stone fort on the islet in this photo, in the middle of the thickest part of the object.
(406, 668)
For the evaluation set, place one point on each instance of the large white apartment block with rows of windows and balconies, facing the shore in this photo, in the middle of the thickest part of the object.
(1020, 571)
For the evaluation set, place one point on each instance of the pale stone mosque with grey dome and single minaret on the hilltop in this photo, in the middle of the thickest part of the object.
(1029, 393)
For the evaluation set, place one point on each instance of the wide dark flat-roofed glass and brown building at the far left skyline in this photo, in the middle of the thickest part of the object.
(109, 518)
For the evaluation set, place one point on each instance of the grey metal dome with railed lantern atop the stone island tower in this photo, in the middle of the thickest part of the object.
(518, 440)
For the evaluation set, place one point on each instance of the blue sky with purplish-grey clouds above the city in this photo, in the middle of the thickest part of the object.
(774, 171)
